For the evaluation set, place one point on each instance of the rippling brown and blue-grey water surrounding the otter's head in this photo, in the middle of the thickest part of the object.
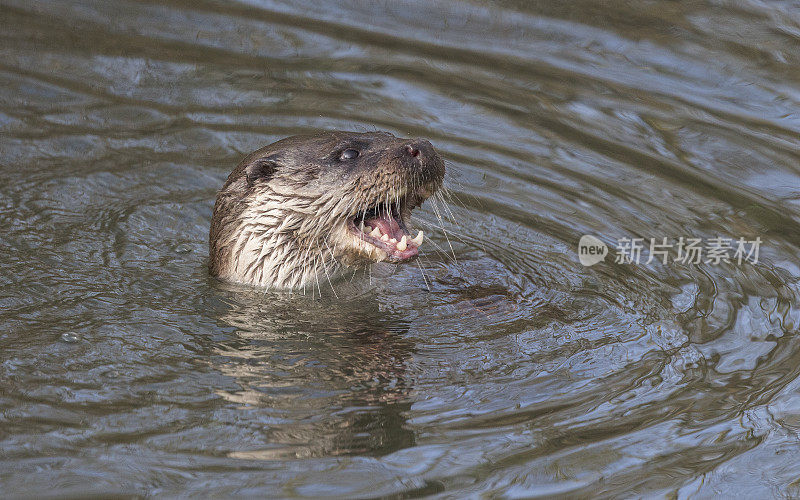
(499, 366)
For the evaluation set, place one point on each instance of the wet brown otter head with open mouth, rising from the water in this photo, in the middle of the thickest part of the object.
(305, 208)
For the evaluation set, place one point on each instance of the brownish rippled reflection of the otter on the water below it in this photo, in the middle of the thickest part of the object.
(330, 377)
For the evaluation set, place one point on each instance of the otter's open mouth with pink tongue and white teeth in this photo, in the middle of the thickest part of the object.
(383, 227)
